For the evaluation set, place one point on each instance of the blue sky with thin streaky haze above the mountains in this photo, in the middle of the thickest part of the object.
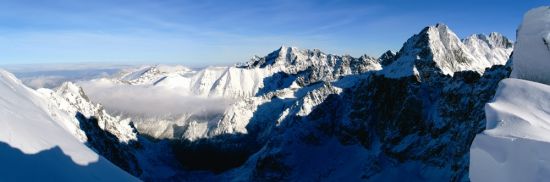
(204, 32)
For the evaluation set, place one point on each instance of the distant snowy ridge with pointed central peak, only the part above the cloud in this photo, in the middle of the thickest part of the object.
(245, 80)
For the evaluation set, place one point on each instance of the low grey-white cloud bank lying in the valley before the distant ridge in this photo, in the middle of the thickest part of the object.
(150, 101)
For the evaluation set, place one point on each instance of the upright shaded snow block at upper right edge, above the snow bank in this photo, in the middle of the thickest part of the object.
(532, 50)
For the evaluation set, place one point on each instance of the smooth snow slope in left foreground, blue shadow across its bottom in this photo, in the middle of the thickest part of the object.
(35, 147)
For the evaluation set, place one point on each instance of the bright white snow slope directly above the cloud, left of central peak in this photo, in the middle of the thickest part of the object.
(208, 82)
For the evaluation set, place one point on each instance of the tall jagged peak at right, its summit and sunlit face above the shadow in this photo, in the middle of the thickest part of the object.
(438, 45)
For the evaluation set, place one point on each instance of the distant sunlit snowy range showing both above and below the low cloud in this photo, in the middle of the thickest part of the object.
(285, 67)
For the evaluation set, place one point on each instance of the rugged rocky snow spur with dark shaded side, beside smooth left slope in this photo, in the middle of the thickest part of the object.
(112, 137)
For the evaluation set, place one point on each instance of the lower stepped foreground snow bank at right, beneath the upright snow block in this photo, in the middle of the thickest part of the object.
(516, 143)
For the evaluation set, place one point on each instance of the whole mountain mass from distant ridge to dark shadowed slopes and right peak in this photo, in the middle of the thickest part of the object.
(414, 112)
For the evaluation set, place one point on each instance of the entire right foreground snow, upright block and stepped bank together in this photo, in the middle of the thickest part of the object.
(516, 141)
